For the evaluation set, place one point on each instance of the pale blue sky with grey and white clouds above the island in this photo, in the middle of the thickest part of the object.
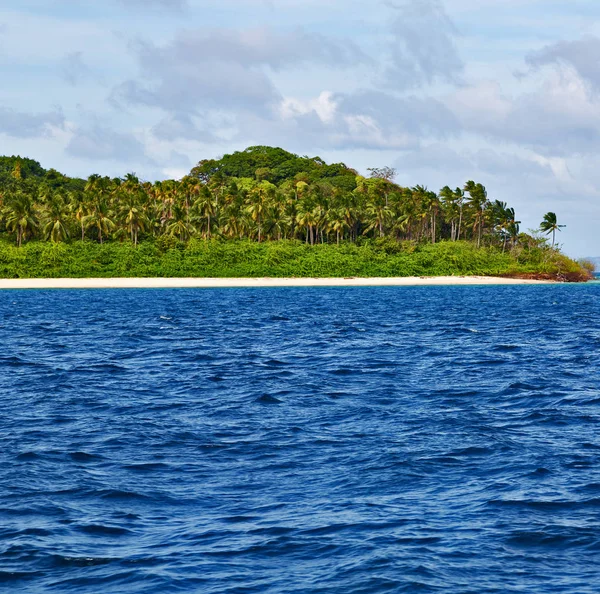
(505, 92)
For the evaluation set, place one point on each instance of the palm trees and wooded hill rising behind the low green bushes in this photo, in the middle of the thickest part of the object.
(259, 194)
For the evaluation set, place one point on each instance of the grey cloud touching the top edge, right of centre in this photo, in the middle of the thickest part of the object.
(423, 47)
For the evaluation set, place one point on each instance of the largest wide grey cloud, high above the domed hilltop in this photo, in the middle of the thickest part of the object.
(226, 69)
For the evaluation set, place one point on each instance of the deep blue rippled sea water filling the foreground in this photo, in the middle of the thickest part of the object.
(364, 440)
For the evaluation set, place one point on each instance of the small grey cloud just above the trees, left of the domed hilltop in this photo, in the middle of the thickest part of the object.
(103, 144)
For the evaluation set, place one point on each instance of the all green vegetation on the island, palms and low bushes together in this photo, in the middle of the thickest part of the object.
(263, 212)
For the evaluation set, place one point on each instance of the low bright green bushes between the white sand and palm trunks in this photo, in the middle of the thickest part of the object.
(168, 257)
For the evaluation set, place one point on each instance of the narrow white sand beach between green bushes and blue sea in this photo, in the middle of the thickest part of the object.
(167, 283)
